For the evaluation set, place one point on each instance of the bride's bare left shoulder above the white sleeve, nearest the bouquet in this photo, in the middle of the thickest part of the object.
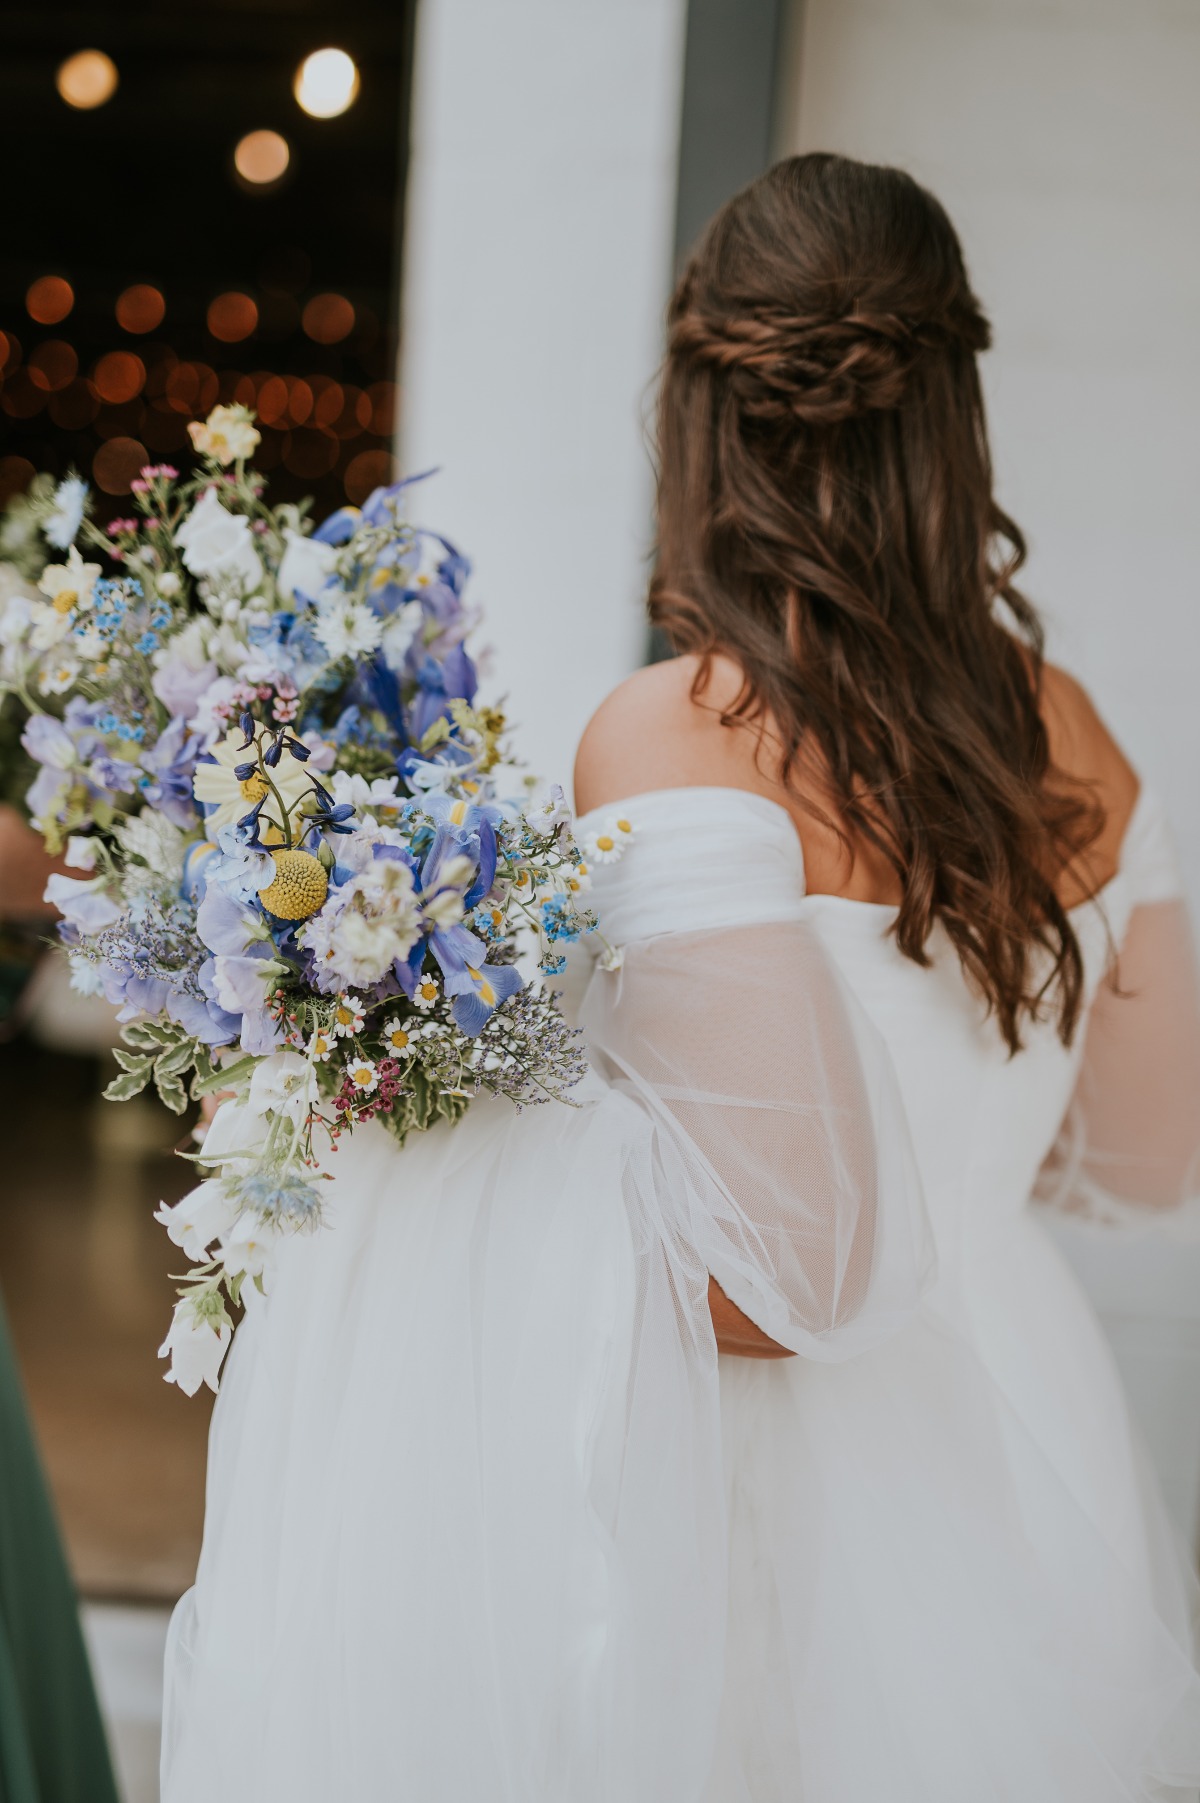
(653, 731)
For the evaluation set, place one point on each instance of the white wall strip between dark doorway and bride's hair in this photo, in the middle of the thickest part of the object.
(538, 264)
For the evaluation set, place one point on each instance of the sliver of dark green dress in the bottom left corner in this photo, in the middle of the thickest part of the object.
(53, 1744)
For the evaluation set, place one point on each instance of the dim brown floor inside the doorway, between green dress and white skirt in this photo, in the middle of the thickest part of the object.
(86, 1276)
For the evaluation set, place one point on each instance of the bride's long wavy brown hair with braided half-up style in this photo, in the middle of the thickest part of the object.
(828, 522)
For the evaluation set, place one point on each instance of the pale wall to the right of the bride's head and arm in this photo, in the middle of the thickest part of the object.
(1064, 138)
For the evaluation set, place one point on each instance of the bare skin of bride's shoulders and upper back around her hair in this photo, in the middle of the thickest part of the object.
(653, 735)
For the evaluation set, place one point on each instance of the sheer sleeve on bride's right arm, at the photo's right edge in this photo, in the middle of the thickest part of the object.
(1131, 1142)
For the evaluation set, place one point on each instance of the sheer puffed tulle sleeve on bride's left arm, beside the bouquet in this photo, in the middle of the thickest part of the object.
(779, 1108)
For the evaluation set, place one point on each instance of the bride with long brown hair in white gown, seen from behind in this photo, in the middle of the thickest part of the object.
(740, 1436)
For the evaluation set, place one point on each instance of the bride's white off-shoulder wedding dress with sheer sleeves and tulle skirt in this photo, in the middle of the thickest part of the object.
(489, 1521)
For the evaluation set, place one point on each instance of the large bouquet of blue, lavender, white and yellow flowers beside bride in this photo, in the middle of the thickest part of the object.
(262, 751)
